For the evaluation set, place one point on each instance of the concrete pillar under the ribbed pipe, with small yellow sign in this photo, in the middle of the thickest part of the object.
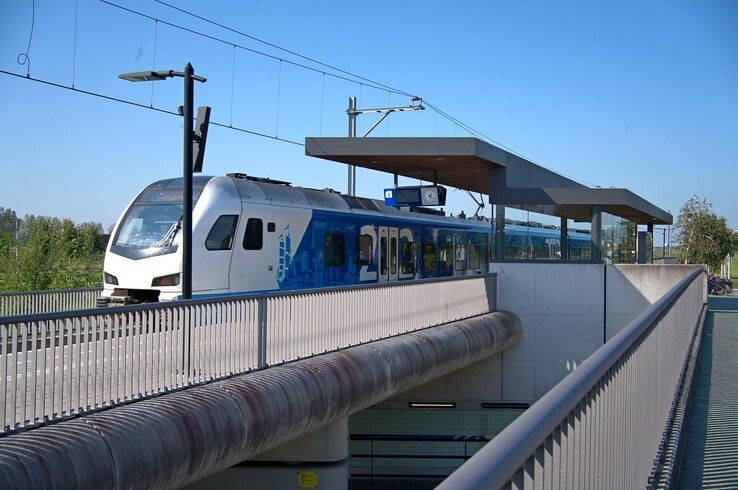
(318, 459)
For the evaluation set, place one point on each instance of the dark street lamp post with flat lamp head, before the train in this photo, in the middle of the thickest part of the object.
(187, 111)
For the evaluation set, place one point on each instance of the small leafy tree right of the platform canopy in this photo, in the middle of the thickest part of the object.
(704, 236)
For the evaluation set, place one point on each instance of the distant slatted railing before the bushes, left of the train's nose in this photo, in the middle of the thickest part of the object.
(31, 302)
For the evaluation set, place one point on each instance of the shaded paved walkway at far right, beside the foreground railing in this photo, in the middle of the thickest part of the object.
(711, 453)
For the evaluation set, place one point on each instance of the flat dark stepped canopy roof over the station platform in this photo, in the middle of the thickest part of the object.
(475, 165)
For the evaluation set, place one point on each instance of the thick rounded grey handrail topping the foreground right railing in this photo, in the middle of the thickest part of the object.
(495, 464)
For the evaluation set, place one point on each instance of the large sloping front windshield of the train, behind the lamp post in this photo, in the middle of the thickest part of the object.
(154, 219)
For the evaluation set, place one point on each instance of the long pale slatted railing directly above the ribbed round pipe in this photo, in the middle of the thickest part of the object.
(61, 364)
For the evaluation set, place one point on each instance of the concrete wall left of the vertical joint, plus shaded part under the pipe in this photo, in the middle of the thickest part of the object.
(561, 309)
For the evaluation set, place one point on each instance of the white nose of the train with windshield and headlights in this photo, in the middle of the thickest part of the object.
(143, 262)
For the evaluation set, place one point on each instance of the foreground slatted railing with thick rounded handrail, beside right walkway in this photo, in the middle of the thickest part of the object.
(602, 425)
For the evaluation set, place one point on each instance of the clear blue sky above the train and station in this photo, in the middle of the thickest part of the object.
(642, 95)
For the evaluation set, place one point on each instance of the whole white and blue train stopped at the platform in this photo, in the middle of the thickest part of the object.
(257, 235)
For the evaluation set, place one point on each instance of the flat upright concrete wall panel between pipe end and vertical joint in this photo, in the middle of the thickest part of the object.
(561, 309)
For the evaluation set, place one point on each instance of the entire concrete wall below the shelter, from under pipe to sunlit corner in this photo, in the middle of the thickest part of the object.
(567, 310)
